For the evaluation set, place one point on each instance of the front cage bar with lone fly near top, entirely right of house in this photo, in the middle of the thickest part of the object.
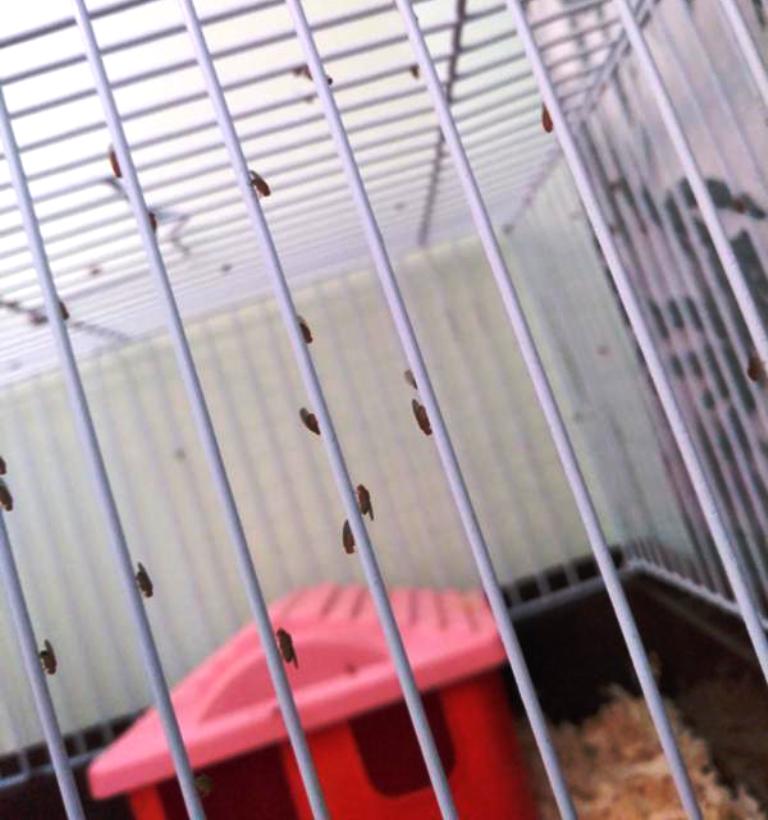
(704, 492)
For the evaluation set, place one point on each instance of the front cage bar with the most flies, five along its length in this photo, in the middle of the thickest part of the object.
(312, 384)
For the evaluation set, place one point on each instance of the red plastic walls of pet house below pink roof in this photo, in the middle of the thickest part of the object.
(370, 767)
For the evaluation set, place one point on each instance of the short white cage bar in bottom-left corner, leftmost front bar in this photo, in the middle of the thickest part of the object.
(25, 636)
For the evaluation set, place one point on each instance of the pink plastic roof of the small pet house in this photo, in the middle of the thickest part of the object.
(227, 706)
